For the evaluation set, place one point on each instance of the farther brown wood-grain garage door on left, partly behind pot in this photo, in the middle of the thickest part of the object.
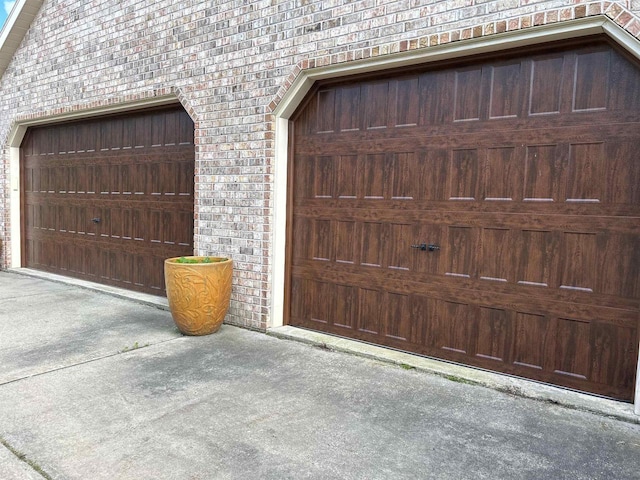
(107, 200)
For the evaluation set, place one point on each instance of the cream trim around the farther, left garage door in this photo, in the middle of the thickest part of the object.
(16, 135)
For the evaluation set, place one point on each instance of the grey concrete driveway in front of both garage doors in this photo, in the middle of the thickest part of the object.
(98, 387)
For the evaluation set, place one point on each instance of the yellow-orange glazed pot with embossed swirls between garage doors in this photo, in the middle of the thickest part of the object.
(199, 292)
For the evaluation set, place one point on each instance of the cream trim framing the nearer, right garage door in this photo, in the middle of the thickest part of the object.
(493, 43)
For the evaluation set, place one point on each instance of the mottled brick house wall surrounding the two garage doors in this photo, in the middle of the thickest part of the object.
(230, 63)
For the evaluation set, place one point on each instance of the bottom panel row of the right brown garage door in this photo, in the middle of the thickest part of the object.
(500, 338)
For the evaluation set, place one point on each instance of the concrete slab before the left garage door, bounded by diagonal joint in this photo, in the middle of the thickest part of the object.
(45, 326)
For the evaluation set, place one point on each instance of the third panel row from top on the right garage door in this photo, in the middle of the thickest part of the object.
(533, 266)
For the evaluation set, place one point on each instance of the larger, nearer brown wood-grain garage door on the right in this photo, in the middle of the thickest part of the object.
(485, 212)
